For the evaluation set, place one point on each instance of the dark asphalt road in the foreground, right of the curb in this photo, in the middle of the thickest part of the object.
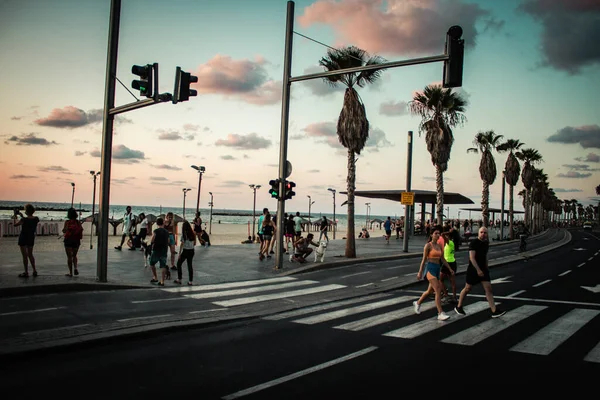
(367, 347)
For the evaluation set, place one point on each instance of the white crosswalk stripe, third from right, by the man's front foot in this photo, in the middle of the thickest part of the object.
(486, 329)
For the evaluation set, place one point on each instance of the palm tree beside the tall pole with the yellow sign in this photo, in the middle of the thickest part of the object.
(440, 110)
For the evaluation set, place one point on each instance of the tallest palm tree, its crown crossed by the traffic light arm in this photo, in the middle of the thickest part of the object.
(353, 126)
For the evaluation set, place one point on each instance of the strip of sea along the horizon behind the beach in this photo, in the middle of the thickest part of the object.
(58, 212)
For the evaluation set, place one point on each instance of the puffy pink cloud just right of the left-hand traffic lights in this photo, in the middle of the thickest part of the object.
(244, 80)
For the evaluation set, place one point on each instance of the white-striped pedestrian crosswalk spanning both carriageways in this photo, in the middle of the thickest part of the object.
(392, 315)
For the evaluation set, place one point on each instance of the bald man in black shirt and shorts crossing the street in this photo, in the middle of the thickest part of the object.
(478, 272)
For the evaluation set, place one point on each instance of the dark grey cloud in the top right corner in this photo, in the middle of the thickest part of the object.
(570, 32)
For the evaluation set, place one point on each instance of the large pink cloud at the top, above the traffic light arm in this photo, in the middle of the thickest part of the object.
(396, 26)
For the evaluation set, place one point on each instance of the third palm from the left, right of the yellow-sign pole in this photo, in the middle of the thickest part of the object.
(484, 143)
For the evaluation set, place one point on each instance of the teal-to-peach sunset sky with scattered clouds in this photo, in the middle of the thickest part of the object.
(532, 72)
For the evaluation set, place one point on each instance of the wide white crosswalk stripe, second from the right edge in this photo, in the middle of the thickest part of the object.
(547, 339)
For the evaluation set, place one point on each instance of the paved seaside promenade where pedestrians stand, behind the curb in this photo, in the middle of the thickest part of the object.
(215, 264)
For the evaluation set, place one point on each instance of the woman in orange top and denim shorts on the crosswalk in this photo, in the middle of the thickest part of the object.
(433, 258)
